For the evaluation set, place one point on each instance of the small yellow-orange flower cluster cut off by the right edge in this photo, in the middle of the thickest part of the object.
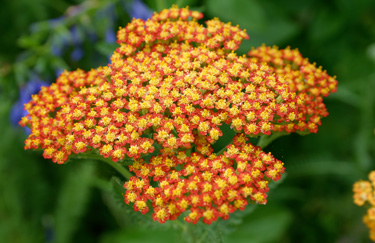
(364, 192)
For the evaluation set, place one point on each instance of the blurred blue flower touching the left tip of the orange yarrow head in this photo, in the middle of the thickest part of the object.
(18, 111)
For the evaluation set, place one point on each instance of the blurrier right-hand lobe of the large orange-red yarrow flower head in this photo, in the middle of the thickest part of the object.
(309, 83)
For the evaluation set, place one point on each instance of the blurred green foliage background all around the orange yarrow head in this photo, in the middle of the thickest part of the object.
(44, 202)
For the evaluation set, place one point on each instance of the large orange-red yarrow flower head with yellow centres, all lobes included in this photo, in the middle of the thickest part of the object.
(172, 84)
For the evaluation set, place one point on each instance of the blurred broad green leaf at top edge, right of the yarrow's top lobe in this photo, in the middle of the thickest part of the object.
(263, 21)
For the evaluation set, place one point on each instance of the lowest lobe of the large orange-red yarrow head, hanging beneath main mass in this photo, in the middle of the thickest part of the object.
(213, 186)
